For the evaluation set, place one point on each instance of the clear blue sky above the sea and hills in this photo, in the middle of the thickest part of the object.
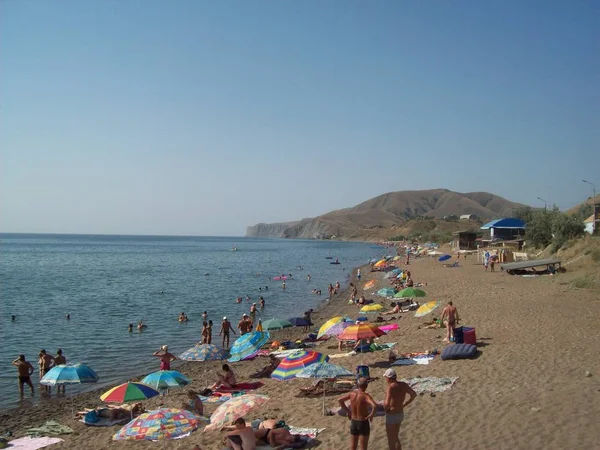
(204, 117)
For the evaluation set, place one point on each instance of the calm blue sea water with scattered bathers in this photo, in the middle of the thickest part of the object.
(107, 282)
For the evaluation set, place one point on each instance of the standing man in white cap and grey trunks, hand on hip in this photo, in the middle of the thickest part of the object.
(394, 407)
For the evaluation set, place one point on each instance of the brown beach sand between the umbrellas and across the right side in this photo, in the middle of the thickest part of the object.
(527, 389)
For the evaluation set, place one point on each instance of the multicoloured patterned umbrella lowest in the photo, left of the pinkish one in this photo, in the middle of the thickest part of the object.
(164, 423)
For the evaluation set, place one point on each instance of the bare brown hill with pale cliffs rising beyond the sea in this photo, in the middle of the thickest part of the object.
(394, 213)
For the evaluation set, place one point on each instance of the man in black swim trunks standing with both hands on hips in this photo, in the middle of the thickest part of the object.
(359, 415)
